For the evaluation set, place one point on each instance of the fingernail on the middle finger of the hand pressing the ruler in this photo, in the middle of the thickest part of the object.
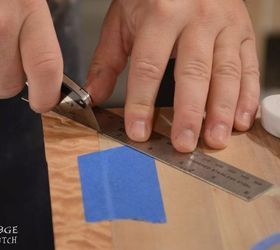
(185, 141)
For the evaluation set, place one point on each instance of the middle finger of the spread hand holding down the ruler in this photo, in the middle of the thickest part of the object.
(192, 77)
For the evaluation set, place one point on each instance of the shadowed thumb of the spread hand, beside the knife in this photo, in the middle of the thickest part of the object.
(110, 56)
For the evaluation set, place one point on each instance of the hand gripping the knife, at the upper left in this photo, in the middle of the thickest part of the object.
(29, 49)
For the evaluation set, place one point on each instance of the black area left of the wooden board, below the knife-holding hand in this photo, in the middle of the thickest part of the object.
(24, 186)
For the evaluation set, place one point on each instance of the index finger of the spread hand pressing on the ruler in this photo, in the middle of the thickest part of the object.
(150, 54)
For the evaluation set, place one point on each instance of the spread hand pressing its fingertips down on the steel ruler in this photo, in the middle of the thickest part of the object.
(216, 67)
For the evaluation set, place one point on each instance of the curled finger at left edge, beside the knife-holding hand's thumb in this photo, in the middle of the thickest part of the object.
(11, 72)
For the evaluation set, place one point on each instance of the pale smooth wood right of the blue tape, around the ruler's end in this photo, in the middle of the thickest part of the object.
(202, 217)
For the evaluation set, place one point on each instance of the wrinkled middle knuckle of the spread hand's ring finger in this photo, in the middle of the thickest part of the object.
(230, 69)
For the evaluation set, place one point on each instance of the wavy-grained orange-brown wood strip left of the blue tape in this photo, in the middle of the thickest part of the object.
(64, 141)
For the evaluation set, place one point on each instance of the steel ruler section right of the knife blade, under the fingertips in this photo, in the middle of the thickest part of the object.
(197, 164)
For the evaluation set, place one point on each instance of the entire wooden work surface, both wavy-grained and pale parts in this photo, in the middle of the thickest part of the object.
(199, 216)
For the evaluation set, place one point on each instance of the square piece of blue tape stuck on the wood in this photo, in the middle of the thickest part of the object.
(120, 183)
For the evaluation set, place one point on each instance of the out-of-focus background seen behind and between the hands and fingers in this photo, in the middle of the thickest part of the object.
(78, 24)
